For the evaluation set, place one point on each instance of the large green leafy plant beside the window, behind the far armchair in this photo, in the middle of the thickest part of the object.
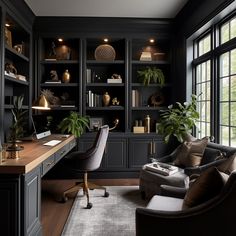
(178, 120)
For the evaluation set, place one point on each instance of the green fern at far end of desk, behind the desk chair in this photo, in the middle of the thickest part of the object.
(74, 123)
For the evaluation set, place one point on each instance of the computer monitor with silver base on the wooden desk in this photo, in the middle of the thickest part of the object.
(40, 126)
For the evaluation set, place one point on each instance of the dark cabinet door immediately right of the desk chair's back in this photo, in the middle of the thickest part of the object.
(115, 154)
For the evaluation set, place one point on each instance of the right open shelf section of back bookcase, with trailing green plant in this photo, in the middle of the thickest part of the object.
(148, 97)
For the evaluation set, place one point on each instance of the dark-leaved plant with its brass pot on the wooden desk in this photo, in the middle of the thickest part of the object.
(17, 127)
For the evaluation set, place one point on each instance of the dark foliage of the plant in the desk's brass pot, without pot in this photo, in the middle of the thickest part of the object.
(17, 127)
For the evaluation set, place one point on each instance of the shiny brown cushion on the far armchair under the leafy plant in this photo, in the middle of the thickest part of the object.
(191, 153)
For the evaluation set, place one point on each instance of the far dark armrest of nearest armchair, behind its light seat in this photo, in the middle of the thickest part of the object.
(171, 191)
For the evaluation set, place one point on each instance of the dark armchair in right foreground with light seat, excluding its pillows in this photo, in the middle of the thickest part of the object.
(164, 215)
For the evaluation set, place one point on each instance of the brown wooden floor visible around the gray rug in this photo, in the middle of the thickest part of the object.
(54, 213)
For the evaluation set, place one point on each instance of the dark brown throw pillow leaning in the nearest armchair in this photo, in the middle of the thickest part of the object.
(206, 186)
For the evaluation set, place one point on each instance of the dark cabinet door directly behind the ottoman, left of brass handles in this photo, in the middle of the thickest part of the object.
(140, 151)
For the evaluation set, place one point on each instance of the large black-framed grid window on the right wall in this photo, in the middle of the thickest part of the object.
(214, 79)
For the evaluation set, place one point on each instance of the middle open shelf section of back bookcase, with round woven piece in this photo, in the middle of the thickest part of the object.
(105, 73)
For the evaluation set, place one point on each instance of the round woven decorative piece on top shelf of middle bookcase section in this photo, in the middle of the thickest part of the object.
(105, 52)
